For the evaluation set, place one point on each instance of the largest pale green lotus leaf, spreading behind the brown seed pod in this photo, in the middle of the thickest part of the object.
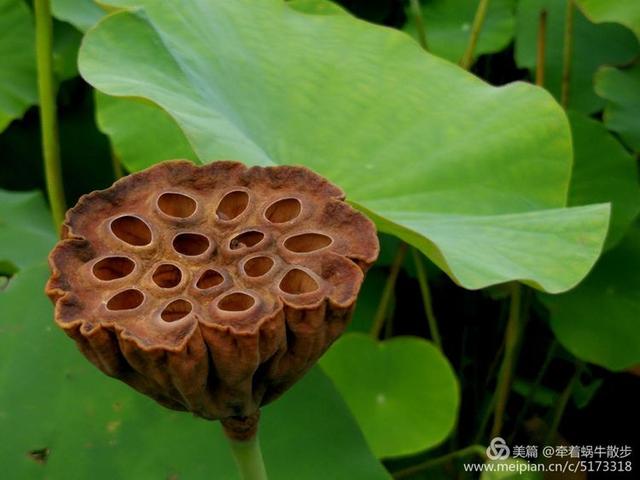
(406, 134)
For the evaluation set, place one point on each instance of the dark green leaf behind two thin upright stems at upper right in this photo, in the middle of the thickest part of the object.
(593, 46)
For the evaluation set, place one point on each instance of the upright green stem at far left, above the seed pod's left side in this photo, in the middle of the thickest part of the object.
(48, 120)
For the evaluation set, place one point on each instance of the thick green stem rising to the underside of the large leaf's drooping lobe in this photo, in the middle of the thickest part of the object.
(512, 337)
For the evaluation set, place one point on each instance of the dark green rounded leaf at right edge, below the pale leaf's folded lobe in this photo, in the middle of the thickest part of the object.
(598, 320)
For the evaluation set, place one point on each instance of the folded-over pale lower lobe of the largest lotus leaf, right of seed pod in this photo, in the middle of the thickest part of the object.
(550, 261)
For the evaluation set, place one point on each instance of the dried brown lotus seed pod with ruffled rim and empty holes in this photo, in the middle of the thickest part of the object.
(161, 283)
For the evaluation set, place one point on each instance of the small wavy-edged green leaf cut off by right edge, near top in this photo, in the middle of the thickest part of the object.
(621, 88)
